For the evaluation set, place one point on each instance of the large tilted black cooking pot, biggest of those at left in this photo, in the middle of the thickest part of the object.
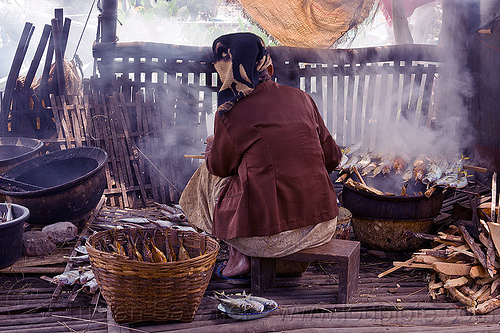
(63, 186)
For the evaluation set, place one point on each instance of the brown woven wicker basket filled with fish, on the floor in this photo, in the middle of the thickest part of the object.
(142, 291)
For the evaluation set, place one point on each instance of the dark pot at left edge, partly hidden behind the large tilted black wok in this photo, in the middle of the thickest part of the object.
(14, 150)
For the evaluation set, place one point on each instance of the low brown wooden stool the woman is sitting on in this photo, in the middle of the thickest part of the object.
(343, 252)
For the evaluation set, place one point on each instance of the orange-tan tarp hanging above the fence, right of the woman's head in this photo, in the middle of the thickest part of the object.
(307, 23)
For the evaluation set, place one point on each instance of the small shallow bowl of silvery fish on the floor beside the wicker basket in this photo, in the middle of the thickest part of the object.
(243, 306)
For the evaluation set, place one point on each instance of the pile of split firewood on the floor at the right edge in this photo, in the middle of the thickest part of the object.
(465, 262)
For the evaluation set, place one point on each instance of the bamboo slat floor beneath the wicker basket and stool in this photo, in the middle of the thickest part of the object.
(398, 302)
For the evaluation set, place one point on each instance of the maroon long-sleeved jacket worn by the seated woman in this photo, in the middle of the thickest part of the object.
(278, 151)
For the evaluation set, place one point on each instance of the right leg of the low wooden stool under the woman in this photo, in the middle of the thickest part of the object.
(348, 276)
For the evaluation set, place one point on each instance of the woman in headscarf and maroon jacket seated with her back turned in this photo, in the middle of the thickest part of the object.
(264, 188)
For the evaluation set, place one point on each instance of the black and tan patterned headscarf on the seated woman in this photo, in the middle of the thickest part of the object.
(239, 58)
